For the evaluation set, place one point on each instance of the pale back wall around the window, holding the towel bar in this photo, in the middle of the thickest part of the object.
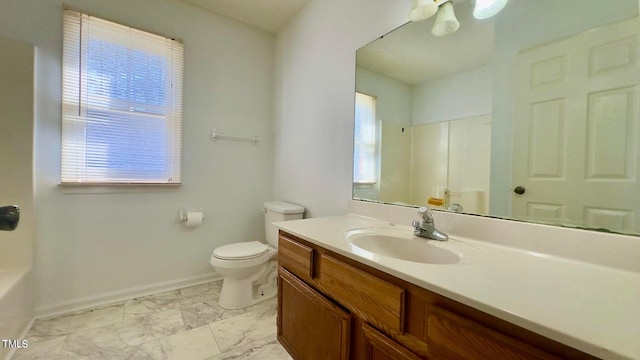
(94, 246)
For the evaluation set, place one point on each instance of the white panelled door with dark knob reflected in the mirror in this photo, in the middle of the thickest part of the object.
(576, 130)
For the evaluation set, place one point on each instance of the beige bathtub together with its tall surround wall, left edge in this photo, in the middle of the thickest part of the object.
(16, 186)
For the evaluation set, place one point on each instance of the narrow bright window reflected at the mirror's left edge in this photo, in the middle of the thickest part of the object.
(365, 169)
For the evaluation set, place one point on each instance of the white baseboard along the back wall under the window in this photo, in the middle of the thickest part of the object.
(119, 296)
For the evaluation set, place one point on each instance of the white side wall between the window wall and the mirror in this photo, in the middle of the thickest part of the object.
(314, 100)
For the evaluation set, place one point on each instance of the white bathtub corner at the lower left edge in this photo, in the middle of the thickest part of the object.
(16, 304)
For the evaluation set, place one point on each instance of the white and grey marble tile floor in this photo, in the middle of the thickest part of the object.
(184, 324)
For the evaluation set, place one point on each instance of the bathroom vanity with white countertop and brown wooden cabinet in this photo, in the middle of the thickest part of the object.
(337, 300)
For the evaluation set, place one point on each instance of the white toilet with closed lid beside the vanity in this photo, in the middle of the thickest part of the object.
(250, 268)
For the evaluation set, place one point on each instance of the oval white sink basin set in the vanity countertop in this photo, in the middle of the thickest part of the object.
(399, 244)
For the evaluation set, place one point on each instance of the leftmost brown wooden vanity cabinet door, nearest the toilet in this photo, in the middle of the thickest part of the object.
(309, 325)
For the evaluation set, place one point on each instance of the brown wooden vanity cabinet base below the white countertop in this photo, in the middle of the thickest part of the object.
(332, 307)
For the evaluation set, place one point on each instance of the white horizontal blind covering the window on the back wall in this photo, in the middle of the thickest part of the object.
(121, 104)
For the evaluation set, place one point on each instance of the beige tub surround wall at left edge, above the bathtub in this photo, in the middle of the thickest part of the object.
(16, 149)
